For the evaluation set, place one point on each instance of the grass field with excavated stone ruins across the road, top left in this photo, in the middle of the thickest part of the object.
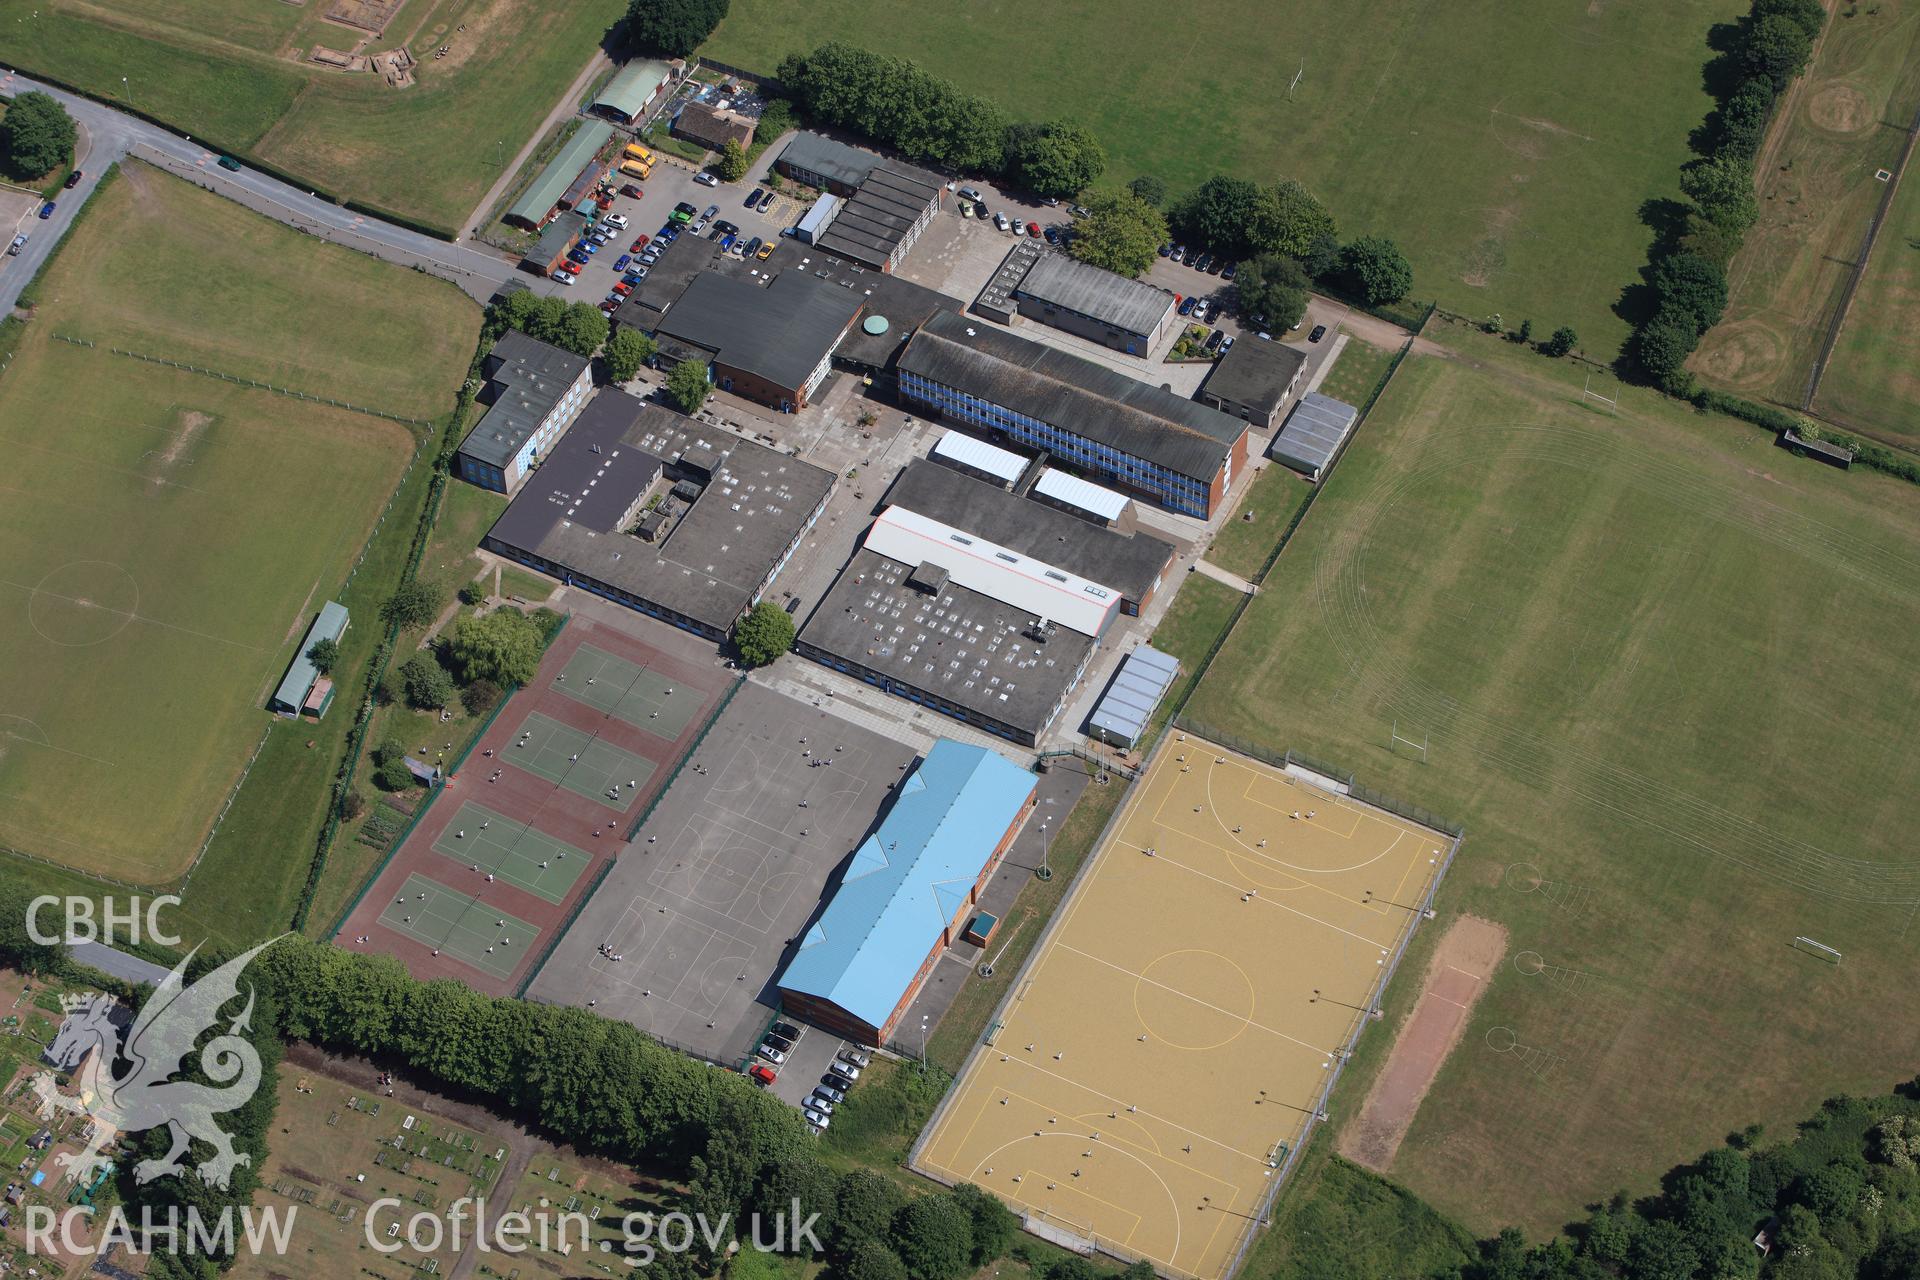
(235, 74)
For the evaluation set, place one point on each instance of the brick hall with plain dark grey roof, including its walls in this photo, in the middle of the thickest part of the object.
(769, 343)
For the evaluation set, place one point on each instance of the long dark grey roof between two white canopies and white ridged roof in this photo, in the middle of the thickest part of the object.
(1126, 563)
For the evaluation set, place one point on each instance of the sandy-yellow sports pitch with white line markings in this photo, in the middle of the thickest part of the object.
(1176, 1031)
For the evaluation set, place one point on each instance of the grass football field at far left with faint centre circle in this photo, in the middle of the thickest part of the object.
(170, 536)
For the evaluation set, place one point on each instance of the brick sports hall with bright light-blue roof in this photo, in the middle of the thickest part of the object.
(907, 893)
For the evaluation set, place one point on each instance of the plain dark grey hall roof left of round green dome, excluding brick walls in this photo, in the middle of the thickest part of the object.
(780, 331)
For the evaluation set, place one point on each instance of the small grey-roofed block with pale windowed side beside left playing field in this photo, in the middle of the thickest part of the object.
(533, 392)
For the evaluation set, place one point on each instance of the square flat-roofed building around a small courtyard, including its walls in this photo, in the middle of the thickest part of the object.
(661, 513)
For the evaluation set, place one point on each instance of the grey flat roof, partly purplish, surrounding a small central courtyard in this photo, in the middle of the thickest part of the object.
(719, 552)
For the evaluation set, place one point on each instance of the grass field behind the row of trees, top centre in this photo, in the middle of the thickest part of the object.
(1493, 143)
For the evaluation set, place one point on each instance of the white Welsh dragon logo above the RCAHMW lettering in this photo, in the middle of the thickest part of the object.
(158, 1047)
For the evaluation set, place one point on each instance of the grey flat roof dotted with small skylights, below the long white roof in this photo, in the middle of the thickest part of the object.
(959, 646)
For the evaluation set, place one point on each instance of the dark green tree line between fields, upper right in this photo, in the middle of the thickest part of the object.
(1689, 266)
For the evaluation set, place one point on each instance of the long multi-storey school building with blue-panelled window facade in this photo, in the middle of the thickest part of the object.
(1113, 429)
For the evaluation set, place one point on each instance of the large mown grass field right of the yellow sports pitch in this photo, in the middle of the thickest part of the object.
(1666, 675)
